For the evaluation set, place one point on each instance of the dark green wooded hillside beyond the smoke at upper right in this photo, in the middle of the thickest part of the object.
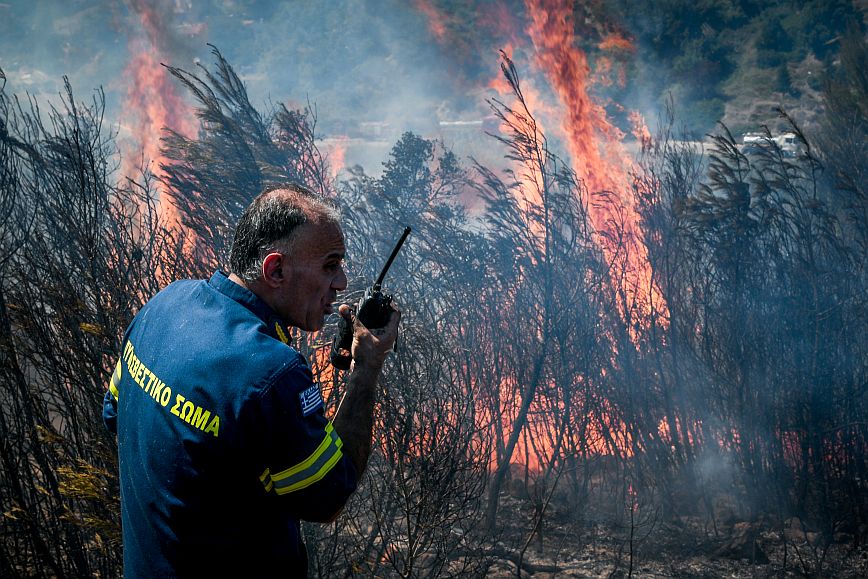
(736, 60)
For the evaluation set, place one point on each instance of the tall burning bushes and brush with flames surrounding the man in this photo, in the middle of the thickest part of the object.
(621, 366)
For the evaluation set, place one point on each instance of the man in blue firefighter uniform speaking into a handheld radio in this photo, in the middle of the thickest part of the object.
(222, 441)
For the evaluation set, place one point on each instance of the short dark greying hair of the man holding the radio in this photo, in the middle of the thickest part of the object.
(270, 223)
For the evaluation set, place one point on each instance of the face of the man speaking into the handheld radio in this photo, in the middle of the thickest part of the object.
(313, 275)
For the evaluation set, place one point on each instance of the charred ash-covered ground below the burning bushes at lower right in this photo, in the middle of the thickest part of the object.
(598, 540)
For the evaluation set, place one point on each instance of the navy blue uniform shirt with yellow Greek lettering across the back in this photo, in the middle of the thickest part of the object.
(222, 442)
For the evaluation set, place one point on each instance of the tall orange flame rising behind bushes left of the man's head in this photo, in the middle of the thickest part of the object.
(152, 103)
